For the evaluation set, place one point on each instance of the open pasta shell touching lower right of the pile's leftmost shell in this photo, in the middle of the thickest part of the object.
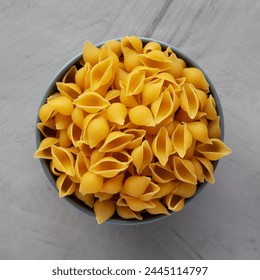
(63, 160)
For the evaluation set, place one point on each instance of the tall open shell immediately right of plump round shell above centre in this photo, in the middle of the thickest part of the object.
(162, 107)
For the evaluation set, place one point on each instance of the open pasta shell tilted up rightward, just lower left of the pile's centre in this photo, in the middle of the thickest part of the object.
(116, 141)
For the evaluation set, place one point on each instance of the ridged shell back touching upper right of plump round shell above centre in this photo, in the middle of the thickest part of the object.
(151, 91)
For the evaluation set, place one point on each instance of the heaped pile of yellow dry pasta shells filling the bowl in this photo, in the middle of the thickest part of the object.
(131, 130)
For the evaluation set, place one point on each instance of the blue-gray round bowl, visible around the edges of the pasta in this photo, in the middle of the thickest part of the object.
(147, 218)
